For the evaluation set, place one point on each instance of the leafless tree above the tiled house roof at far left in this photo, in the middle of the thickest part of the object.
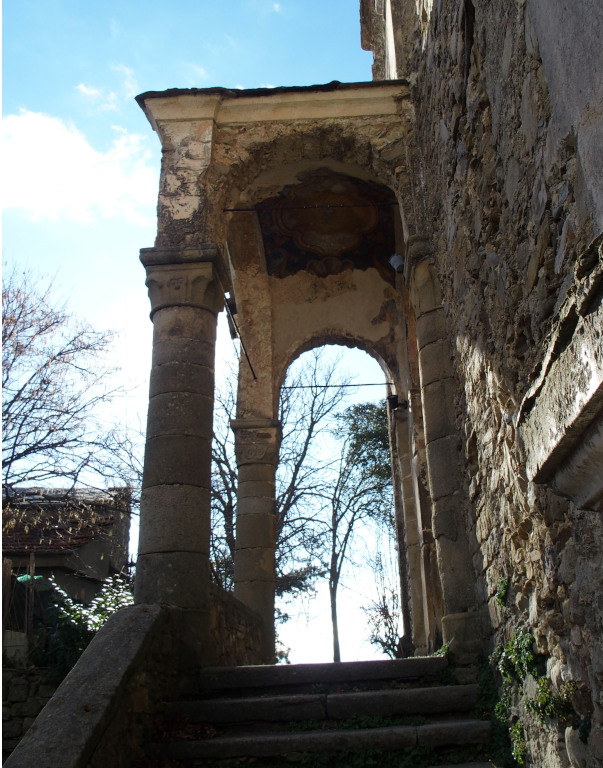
(55, 377)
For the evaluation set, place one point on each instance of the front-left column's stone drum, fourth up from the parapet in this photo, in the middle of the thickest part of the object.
(180, 413)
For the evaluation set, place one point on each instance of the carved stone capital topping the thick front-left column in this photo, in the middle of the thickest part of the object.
(184, 277)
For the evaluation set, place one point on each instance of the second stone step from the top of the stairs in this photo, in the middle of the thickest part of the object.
(331, 706)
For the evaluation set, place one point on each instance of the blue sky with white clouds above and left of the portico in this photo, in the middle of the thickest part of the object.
(81, 163)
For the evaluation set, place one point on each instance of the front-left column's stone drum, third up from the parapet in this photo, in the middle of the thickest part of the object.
(177, 460)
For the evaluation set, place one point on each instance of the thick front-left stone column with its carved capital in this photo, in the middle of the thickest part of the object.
(173, 554)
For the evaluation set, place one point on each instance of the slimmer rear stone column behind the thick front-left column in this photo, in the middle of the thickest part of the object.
(257, 443)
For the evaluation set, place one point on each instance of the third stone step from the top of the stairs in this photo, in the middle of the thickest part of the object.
(435, 735)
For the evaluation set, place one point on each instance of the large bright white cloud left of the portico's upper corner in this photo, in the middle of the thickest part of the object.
(52, 172)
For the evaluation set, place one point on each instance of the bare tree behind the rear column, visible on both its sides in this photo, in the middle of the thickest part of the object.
(309, 401)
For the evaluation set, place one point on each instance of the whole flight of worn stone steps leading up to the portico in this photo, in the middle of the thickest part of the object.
(322, 714)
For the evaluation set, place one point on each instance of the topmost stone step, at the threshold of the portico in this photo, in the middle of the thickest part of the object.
(213, 679)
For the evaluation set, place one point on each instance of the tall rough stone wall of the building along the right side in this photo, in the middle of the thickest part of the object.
(509, 109)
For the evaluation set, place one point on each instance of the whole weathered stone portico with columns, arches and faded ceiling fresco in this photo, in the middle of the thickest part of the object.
(290, 202)
